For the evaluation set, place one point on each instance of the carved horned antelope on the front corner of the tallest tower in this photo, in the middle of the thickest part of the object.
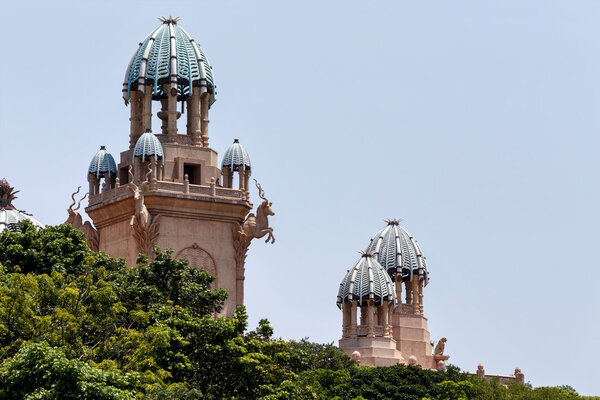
(144, 225)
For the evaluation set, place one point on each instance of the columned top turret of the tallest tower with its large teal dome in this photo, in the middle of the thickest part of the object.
(168, 67)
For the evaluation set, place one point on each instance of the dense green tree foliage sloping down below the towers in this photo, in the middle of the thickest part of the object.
(75, 324)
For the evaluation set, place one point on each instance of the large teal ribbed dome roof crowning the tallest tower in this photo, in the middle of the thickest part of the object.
(169, 55)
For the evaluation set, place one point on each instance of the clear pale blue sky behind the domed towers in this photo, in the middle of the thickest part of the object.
(475, 121)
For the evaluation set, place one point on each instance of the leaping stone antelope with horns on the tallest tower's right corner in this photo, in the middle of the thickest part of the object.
(254, 227)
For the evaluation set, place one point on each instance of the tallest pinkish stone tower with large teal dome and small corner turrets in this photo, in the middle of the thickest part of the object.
(167, 189)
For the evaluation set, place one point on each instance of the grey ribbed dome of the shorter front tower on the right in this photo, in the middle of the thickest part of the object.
(366, 280)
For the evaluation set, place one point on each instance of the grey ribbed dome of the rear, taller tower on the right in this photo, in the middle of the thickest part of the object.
(397, 252)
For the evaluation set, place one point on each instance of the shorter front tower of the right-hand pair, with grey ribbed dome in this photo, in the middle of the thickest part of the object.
(368, 286)
